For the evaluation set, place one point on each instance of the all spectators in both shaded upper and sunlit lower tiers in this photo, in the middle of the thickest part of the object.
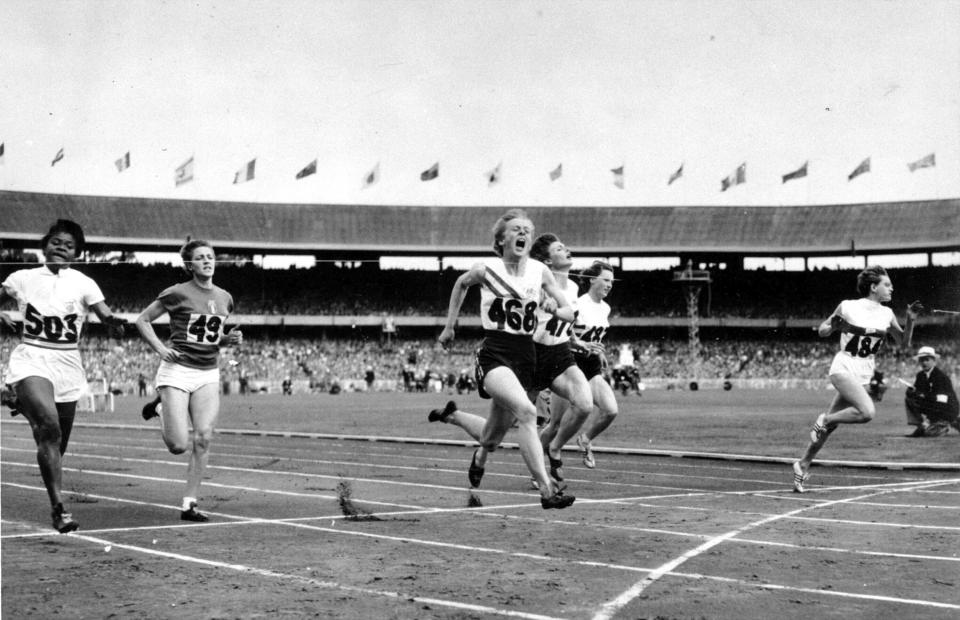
(362, 288)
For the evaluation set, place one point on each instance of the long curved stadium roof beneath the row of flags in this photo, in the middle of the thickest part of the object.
(150, 224)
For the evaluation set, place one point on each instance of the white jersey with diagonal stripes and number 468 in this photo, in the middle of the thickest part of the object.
(508, 303)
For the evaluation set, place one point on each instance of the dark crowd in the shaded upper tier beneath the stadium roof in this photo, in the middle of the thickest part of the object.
(362, 288)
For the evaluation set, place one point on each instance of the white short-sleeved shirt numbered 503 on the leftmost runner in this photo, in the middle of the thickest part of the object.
(54, 305)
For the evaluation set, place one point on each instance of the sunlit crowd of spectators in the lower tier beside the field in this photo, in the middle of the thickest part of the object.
(414, 363)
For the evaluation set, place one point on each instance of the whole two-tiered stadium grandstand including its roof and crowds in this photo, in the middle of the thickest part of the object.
(324, 324)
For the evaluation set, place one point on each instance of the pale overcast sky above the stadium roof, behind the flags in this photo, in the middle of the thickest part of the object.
(528, 85)
